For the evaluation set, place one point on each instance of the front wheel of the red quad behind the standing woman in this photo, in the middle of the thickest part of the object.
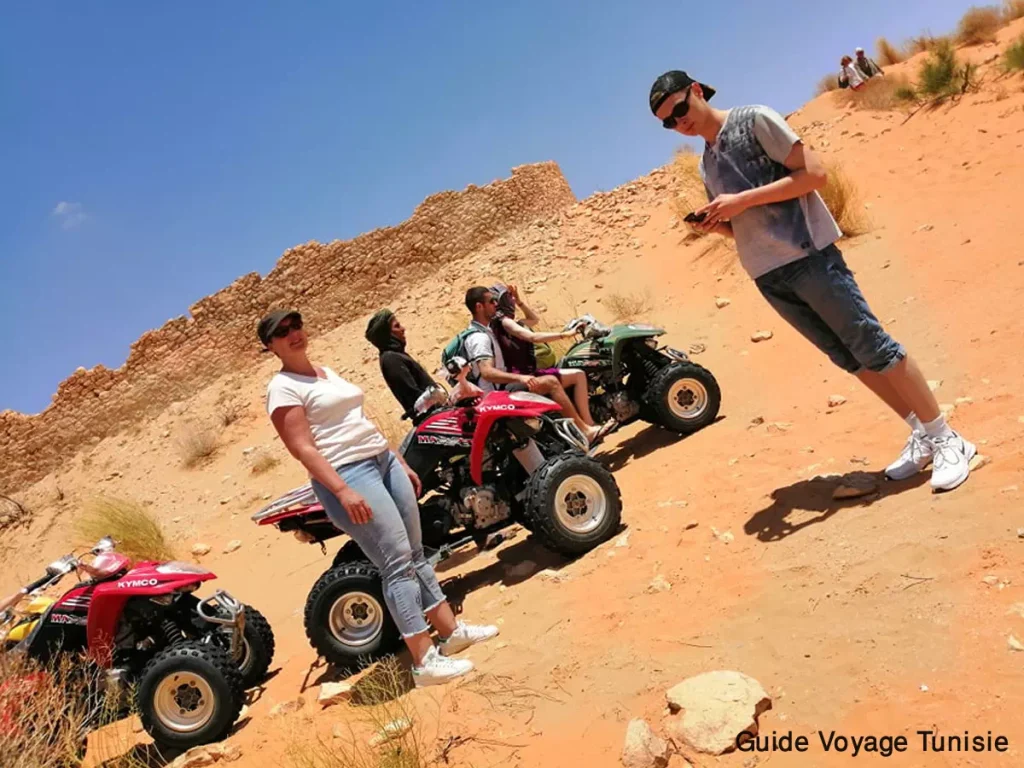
(573, 504)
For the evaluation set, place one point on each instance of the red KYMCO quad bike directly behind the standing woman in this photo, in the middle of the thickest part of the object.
(486, 463)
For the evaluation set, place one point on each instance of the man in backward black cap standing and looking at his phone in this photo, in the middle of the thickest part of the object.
(763, 186)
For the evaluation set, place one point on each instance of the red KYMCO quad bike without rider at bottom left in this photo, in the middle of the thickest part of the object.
(141, 625)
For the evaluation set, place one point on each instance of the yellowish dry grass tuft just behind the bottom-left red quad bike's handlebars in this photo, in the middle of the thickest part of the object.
(136, 530)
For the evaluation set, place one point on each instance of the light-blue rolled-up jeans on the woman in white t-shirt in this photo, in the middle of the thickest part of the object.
(392, 539)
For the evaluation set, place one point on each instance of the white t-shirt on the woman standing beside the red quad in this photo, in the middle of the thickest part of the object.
(334, 409)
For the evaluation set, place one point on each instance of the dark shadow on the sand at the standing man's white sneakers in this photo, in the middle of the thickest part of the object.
(815, 497)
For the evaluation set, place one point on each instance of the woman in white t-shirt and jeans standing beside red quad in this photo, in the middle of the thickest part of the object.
(368, 491)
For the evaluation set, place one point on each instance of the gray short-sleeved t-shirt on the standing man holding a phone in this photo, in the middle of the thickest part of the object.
(750, 152)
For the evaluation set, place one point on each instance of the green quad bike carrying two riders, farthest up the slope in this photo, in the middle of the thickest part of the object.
(631, 377)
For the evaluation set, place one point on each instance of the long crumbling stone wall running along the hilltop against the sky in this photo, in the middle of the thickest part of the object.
(331, 283)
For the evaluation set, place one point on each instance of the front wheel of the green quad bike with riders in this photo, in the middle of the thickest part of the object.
(684, 398)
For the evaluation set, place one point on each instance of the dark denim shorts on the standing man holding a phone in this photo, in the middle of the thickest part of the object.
(820, 297)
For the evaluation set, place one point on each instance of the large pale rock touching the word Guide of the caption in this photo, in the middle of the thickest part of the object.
(712, 710)
